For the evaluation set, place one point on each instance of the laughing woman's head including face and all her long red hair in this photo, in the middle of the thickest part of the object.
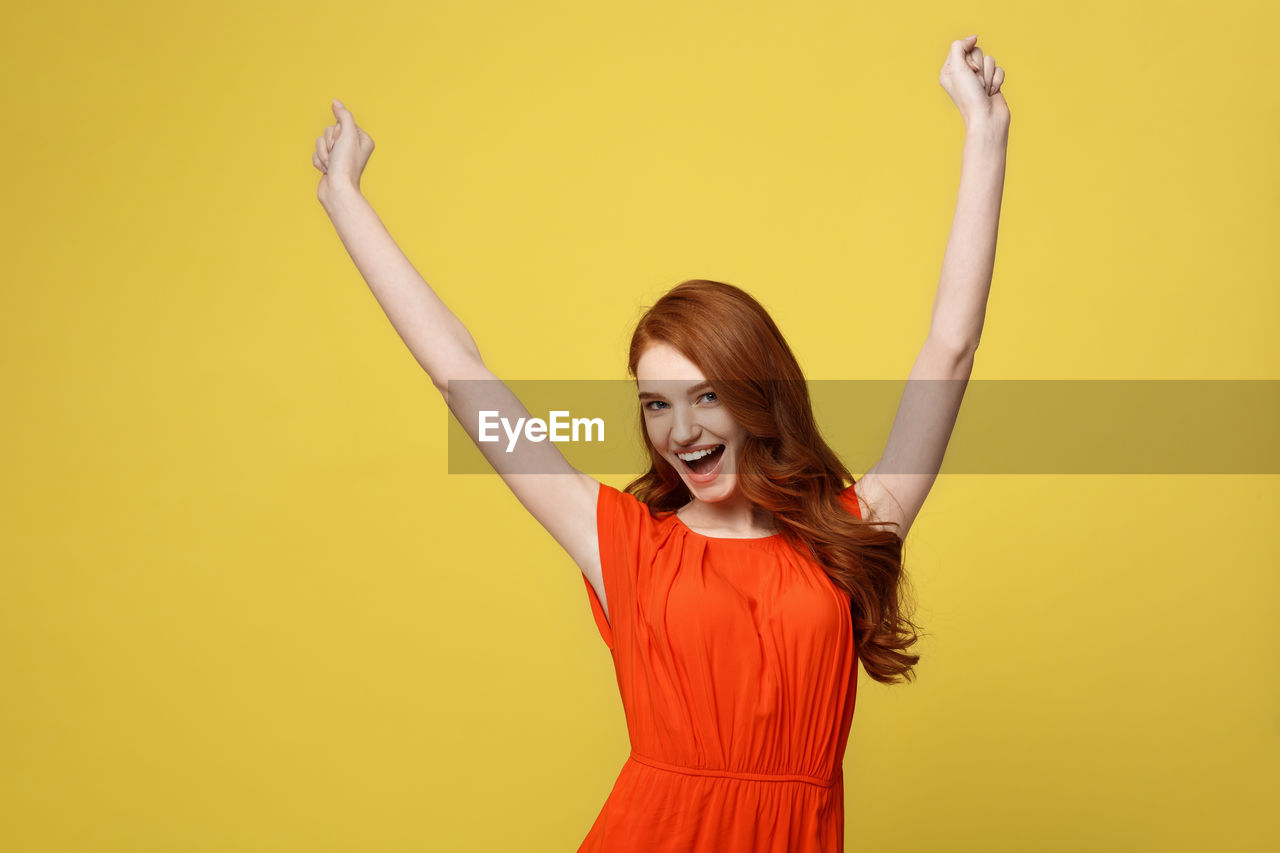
(715, 375)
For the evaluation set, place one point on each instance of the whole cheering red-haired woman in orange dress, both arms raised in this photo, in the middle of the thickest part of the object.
(740, 581)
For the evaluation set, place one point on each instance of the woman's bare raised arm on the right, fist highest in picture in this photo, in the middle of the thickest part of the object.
(897, 486)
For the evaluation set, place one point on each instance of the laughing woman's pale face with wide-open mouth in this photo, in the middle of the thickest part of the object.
(688, 423)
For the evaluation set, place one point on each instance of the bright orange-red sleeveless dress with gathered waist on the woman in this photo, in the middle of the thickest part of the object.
(735, 662)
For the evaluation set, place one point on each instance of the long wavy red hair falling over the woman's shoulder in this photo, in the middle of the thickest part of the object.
(787, 468)
